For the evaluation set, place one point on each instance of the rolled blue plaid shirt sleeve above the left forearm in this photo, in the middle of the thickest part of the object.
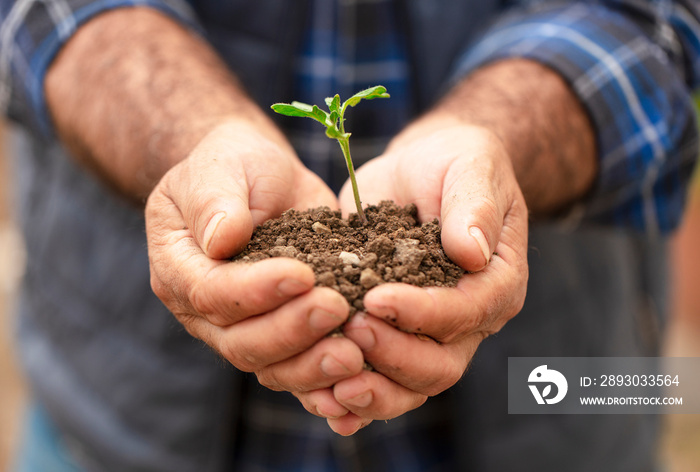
(31, 34)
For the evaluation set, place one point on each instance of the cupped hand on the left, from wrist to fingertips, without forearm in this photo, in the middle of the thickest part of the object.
(266, 317)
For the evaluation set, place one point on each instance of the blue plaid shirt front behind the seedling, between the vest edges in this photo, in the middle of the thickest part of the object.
(343, 53)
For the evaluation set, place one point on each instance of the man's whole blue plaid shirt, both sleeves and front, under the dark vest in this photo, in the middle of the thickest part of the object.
(647, 143)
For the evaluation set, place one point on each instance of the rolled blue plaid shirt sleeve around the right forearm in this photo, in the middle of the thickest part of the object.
(633, 65)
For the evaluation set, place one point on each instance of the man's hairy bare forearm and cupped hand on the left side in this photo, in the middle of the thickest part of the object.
(157, 113)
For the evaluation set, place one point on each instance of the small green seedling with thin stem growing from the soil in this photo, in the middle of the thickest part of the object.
(334, 121)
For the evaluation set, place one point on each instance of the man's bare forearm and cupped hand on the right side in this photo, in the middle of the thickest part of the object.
(512, 129)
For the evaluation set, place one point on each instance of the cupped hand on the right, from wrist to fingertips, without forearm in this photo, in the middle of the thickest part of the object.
(462, 175)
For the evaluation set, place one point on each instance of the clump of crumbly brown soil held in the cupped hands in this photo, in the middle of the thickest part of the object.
(351, 257)
